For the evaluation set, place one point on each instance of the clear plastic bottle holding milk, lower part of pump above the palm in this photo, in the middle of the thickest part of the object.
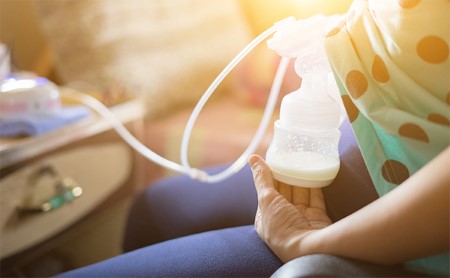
(304, 149)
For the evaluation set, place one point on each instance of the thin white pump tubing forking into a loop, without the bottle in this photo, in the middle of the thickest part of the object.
(185, 168)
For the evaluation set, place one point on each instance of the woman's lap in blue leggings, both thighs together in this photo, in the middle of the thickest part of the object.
(168, 211)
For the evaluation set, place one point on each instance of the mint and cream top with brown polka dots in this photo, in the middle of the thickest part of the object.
(391, 62)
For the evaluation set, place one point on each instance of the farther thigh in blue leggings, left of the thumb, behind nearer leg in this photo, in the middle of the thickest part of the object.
(179, 206)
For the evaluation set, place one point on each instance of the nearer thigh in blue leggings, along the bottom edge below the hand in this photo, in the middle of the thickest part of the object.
(231, 252)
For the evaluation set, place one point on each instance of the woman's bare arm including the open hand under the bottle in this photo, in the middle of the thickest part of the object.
(411, 221)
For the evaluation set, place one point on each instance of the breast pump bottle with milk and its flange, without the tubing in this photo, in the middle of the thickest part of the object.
(304, 149)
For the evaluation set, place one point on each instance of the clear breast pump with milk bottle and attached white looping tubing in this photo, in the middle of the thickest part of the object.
(304, 149)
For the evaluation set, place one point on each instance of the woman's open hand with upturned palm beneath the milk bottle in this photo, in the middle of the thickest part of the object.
(286, 215)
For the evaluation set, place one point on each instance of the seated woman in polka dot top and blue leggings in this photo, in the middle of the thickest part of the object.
(391, 62)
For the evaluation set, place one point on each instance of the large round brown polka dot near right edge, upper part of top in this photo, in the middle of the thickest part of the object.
(432, 49)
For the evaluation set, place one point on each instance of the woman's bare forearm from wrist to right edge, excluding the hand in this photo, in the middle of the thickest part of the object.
(411, 221)
